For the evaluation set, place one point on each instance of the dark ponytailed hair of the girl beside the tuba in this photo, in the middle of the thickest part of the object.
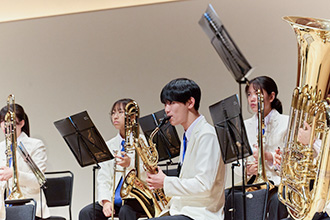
(267, 84)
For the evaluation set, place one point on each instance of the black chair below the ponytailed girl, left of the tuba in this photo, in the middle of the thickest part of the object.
(256, 202)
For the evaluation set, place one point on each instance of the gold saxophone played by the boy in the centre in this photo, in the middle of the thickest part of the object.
(153, 202)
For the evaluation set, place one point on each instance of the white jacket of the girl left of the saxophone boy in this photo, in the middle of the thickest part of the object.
(105, 174)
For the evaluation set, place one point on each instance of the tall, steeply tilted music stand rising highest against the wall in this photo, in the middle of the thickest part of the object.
(225, 46)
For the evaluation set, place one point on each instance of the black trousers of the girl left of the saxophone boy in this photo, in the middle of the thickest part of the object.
(131, 210)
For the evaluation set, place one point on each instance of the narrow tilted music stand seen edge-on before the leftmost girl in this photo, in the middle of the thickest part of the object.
(33, 166)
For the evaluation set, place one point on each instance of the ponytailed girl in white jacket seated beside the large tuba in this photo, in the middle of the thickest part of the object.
(275, 127)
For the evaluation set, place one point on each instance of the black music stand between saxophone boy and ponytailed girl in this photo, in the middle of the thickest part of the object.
(228, 122)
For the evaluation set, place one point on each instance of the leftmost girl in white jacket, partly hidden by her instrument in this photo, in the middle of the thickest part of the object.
(28, 182)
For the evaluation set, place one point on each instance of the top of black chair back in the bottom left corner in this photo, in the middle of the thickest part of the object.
(23, 209)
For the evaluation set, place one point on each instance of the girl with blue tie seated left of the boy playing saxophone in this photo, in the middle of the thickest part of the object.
(103, 208)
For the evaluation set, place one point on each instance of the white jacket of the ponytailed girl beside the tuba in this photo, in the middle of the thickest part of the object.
(274, 137)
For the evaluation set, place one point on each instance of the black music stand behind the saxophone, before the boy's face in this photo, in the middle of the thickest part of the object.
(167, 140)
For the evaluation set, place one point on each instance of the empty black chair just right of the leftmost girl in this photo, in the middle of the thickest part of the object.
(58, 190)
